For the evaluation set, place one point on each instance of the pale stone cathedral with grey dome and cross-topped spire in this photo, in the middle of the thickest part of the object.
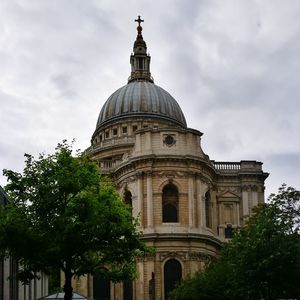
(187, 204)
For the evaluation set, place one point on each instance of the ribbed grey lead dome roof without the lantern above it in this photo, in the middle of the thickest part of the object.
(141, 99)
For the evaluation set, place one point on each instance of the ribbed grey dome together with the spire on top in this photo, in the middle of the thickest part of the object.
(141, 97)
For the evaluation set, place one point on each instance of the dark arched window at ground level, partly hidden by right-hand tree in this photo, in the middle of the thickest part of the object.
(172, 275)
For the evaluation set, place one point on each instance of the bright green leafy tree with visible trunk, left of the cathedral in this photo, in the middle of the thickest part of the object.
(62, 214)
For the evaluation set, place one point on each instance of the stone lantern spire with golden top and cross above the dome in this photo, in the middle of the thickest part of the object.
(139, 59)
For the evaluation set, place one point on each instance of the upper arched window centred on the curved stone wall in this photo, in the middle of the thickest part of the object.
(170, 203)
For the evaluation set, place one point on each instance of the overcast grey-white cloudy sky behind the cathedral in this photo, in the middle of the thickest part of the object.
(233, 66)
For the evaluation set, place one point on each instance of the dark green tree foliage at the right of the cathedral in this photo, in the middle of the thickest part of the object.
(262, 261)
